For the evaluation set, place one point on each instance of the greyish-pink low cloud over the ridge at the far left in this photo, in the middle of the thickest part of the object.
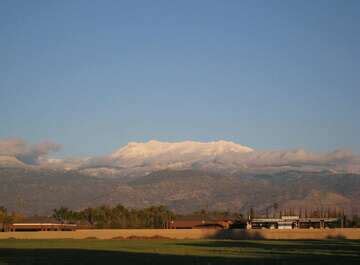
(27, 153)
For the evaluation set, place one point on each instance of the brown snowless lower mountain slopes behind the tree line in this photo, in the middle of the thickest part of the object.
(34, 191)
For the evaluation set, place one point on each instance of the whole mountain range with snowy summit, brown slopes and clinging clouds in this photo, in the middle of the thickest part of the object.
(185, 176)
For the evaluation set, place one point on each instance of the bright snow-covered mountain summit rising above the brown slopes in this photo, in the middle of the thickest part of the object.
(155, 155)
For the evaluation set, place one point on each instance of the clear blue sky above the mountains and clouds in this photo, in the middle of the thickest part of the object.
(95, 75)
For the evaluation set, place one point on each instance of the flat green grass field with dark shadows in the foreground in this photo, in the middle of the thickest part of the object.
(93, 251)
